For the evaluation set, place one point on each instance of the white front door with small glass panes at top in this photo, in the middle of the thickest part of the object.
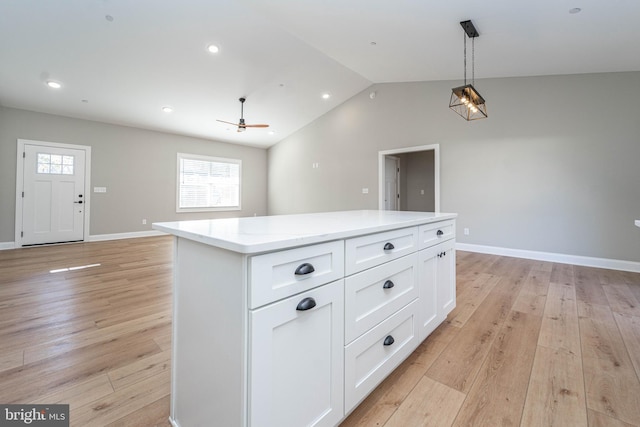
(53, 198)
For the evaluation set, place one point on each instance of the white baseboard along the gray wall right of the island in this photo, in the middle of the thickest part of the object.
(612, 264)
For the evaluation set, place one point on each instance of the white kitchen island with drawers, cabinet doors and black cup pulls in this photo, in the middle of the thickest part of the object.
(293, 320)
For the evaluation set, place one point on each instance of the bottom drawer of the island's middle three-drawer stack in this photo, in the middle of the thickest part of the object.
(370, 359)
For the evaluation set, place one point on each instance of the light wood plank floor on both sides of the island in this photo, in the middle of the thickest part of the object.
(529, 344)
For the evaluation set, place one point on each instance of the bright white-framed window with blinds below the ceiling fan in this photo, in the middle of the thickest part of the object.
(208, 183)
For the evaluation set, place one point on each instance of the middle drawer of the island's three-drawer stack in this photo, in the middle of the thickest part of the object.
(375, 294)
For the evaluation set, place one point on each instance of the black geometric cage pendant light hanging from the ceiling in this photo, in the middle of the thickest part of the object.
(466, 100)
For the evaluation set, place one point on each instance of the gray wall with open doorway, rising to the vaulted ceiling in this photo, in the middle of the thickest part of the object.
(555, 167)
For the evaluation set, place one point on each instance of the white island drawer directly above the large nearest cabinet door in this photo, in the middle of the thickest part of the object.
(277, 275)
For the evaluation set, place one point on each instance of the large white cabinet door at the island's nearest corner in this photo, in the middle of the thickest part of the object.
(297, 360)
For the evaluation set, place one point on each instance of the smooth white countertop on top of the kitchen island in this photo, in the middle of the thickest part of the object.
(251, 235)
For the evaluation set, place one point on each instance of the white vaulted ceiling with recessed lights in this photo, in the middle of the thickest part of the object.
(282, 54)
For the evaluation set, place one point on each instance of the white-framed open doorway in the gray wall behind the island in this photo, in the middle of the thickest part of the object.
(429, 170)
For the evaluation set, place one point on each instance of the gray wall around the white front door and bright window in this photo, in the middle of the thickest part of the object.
(137, 166)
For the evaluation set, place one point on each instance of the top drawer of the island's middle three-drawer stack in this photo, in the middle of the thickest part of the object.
(369, 251)
